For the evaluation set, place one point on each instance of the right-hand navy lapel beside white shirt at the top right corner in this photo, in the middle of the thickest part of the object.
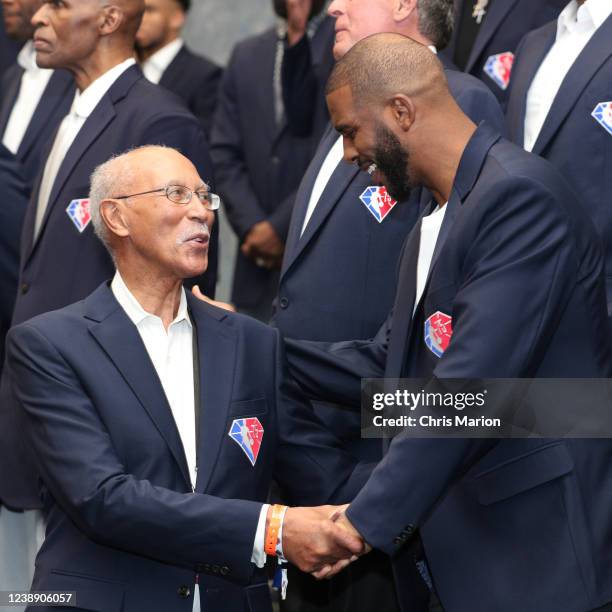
(597, 51)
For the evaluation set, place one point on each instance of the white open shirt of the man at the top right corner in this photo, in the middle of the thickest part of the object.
(575, 27)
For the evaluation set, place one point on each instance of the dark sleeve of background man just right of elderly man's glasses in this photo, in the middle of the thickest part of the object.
(227, 150)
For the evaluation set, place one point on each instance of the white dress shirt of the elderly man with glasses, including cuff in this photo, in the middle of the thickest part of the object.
(171, 353)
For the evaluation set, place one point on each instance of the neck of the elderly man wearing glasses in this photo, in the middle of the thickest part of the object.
(157, 294)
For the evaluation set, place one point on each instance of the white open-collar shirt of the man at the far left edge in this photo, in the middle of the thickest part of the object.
(34, 80)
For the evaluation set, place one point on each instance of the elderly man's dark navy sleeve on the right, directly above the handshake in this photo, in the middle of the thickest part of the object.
(311, 464)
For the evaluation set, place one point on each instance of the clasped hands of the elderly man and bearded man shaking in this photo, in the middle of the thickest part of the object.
(321, 540)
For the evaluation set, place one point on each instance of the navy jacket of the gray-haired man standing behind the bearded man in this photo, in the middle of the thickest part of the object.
(338, 279)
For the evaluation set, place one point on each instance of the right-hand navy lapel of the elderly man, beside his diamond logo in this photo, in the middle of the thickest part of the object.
(217, 356)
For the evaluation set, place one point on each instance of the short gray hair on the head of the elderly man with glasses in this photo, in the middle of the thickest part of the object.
(111, 179)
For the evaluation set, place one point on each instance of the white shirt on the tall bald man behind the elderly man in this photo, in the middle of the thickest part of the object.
(83, 105)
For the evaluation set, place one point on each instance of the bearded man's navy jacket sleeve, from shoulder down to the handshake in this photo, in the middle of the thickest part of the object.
(520, 268)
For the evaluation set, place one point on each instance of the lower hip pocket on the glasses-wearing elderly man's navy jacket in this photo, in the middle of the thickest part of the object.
(92, 593)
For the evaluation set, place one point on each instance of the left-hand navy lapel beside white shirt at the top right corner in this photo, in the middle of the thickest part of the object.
(522, 77)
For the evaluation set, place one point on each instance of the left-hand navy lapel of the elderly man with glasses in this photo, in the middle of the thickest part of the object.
(120, 340)
